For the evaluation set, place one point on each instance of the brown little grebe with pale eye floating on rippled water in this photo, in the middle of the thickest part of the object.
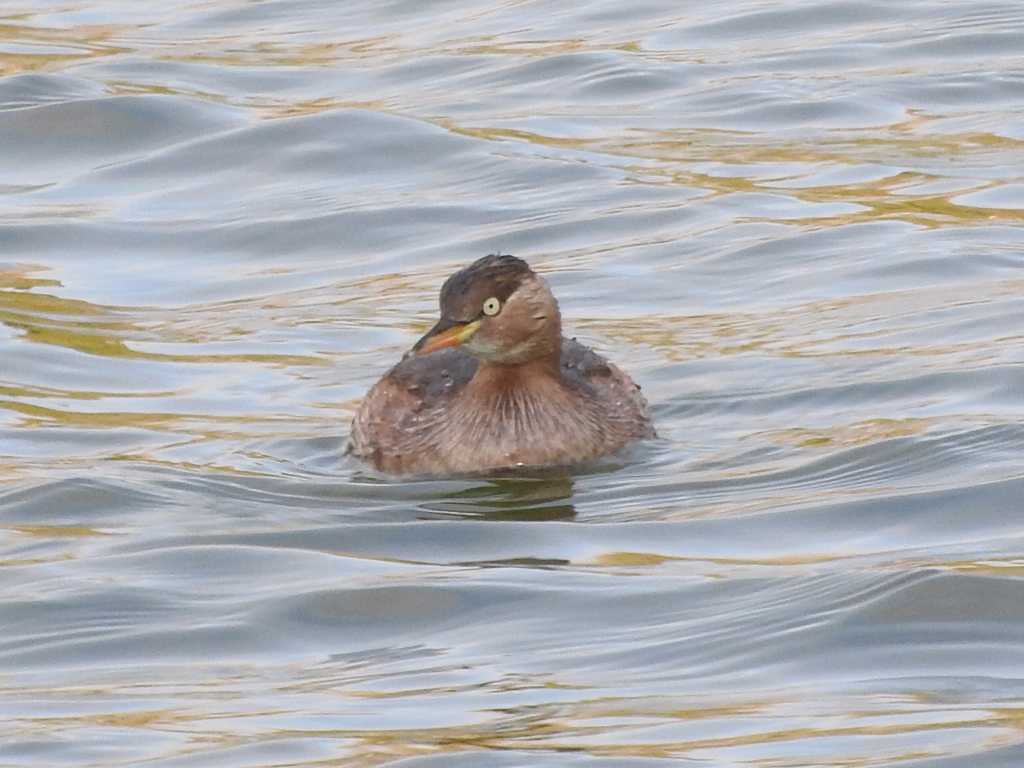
(495, 385)
